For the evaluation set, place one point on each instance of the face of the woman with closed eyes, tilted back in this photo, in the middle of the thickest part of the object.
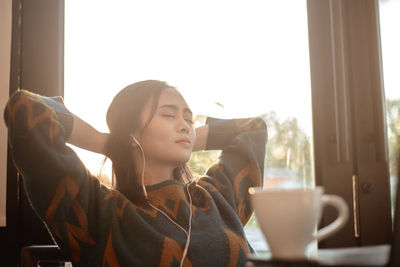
(169, 137)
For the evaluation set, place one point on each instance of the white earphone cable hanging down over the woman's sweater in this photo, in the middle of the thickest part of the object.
(162, 212)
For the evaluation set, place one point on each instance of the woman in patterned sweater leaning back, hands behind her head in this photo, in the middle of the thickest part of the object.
(156, 215)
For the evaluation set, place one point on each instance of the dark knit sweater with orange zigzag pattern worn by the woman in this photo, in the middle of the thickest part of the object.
(97, 226)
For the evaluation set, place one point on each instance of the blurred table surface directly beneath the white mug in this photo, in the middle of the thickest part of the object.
(352, 256)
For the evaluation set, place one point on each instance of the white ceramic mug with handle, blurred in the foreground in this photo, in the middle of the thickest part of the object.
(289, 218)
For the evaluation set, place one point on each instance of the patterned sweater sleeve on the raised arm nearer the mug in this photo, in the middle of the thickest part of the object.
(241, 162)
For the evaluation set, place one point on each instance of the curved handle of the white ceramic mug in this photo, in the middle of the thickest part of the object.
(340, 221)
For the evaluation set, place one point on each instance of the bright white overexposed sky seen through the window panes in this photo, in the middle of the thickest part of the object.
(250, 56)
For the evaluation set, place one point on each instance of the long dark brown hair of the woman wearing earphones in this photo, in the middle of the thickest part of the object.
(124, 118)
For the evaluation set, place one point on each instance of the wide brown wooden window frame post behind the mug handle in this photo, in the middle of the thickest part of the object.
(350, 141)
